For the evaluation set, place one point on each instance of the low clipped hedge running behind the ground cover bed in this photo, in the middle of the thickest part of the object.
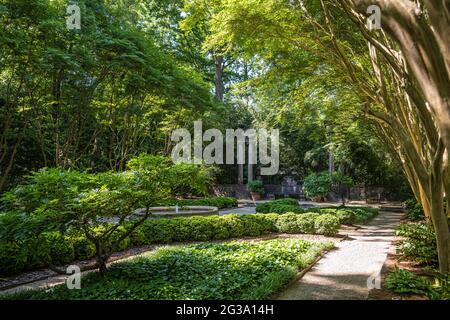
(54, 248)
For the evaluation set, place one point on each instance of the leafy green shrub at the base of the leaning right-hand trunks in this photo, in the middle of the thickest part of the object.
(419, 243)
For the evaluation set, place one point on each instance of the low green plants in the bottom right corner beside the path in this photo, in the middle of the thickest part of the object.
(403, 281)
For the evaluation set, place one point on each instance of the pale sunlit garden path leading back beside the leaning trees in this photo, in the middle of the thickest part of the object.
(343, 274)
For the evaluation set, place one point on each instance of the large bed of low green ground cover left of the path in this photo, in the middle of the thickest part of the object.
(236, 270)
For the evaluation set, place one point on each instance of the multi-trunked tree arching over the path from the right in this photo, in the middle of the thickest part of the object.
(316, 39)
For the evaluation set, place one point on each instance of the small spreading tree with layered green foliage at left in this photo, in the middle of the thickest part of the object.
(68, 201)
